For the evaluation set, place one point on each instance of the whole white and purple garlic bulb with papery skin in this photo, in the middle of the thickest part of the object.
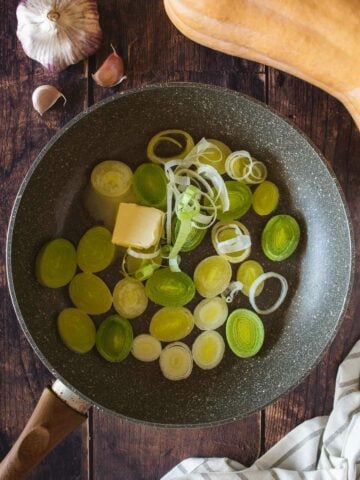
(58, 33)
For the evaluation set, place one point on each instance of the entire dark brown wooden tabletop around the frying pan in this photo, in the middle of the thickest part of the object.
(107, 448)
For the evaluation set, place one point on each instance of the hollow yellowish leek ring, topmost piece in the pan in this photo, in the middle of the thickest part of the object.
(168, 136)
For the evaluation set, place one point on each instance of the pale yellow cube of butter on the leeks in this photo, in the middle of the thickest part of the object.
(137, 226)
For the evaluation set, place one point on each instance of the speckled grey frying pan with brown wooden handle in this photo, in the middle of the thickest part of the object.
(49, 204)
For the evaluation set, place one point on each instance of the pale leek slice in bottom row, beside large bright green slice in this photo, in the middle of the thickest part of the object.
(208, 350)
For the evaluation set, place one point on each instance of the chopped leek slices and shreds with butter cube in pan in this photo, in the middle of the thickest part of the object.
(151, 221)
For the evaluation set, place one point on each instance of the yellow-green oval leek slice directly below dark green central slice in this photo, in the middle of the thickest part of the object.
(171, 323)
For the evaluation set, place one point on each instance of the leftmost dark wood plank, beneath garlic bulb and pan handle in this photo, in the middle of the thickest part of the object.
(23, 133)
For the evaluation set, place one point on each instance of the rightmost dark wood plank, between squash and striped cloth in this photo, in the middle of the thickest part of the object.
(332, 130)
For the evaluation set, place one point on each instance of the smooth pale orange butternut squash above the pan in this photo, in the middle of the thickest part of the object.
(316, 41)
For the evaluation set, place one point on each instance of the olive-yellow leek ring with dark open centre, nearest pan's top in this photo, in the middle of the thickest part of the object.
(171, 139)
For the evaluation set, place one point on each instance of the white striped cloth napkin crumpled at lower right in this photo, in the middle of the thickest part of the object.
(324, 448)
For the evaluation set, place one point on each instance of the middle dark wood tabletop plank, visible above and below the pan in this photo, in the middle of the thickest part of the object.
(155, 52)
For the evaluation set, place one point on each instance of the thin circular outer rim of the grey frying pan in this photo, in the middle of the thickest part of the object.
(38, 160)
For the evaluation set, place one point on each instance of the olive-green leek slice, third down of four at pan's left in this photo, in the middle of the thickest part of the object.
(90, 294)
